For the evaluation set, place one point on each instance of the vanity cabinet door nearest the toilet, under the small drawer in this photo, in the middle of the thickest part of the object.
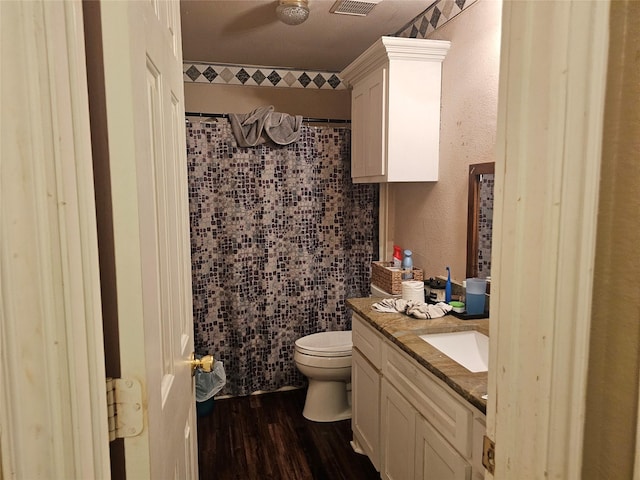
(365, 413)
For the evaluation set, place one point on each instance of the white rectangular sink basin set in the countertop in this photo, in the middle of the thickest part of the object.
(469, 348)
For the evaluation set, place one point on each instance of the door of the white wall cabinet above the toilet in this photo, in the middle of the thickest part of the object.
(368, 134)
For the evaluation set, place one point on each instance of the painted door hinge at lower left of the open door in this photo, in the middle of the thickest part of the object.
(124, 406)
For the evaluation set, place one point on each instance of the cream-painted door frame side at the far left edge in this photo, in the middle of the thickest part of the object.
(53, 413)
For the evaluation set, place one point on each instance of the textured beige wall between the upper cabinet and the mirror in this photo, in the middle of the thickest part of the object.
(431, 218)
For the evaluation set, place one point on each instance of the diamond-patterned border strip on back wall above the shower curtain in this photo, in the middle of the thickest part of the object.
(260, 76)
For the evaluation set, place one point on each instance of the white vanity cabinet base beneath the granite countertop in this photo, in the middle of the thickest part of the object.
(424, 430)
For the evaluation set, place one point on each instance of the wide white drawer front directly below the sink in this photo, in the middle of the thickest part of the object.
(430, 397)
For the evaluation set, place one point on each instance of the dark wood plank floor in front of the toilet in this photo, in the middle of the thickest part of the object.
(266, 437)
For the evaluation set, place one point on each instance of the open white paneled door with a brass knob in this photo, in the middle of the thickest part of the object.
(143, 99)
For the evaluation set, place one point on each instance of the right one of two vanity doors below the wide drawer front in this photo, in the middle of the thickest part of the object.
(435, 459)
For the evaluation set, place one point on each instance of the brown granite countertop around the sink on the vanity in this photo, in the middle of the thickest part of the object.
(403, 331)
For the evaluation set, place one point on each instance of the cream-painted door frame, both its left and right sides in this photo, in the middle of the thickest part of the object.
(50, 327)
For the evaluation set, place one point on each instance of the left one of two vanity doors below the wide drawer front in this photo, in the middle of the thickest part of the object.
(398, 435)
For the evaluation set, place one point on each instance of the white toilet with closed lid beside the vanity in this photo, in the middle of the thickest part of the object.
(325, 359)
